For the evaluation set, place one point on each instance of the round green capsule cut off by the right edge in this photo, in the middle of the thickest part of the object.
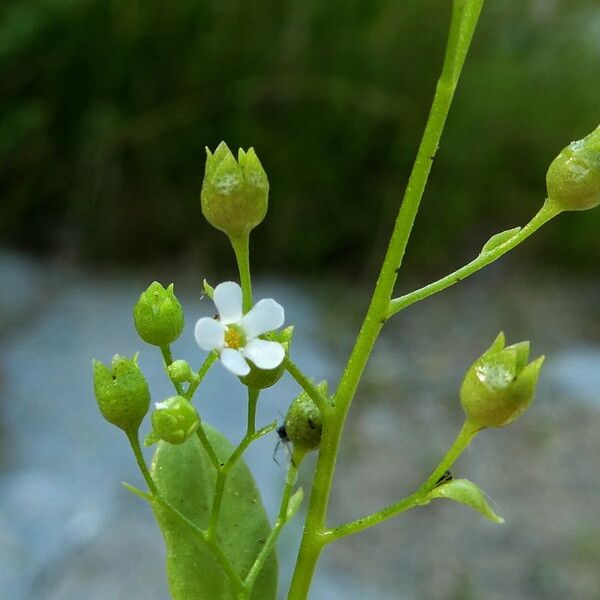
(573, 179)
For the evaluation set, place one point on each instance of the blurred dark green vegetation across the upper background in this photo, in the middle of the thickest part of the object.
(106, 107)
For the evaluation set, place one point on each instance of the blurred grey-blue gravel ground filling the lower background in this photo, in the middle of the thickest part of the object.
(69, 531)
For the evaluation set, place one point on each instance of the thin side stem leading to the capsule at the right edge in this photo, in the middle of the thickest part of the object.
(546, 213)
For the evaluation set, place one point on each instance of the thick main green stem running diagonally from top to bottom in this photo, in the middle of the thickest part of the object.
(464, 19)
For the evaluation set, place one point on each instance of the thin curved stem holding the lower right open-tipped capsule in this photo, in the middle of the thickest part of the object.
(464, 438)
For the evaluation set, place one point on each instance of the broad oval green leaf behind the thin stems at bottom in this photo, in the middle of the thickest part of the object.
(185, 478)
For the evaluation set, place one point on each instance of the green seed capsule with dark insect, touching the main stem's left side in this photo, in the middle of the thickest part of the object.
(304, 422)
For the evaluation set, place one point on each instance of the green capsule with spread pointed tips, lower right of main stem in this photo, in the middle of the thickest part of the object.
(499, 386)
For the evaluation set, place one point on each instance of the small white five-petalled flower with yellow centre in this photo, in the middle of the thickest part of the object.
(235, 335)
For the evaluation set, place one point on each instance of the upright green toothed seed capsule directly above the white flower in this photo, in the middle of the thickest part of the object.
(234, 193)
